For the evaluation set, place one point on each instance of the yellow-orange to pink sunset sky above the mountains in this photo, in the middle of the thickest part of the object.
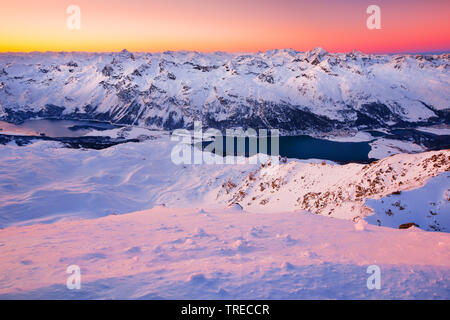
(226, 25)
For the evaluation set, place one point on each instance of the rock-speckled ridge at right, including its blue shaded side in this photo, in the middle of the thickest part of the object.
(342, 191)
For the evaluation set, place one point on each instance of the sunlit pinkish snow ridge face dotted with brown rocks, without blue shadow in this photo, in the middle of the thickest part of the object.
(333, 190)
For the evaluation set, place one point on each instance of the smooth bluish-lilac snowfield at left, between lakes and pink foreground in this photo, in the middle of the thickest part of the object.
(44, 182)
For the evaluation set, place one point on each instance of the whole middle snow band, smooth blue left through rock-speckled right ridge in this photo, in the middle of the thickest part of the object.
(44, 182)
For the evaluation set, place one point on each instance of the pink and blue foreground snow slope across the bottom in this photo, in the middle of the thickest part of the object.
(205, 254)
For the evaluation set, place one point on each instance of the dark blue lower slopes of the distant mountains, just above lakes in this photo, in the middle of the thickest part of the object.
(263, 115)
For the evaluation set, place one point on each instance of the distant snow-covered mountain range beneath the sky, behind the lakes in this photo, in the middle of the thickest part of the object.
(304, 92)
